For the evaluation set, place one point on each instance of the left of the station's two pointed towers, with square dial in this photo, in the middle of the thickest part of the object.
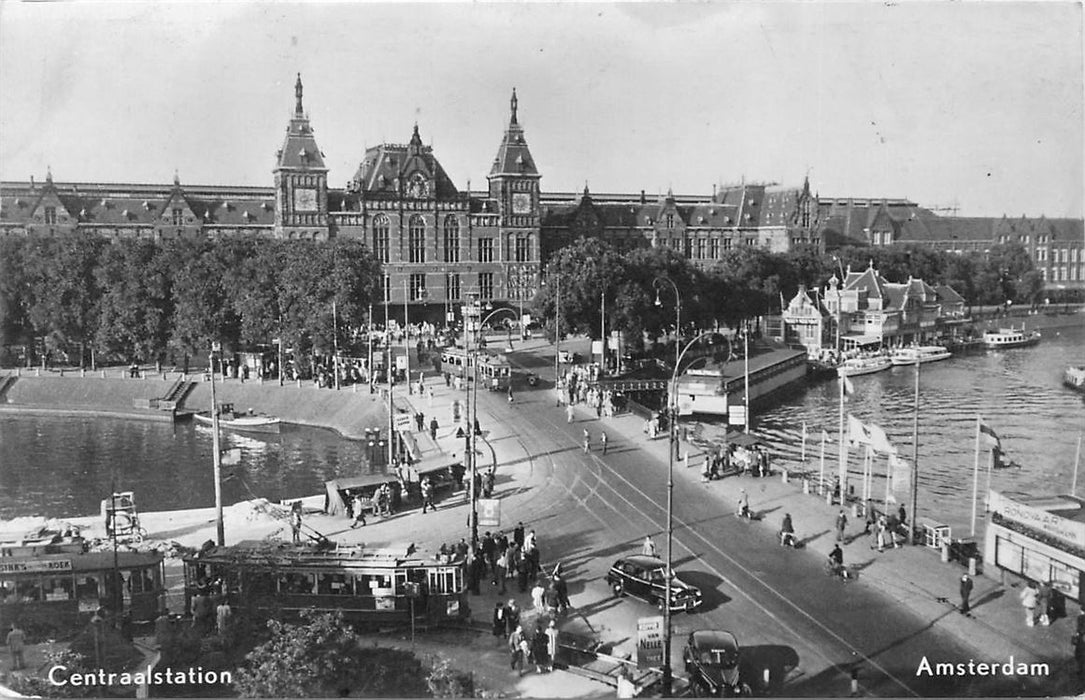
(301, 181)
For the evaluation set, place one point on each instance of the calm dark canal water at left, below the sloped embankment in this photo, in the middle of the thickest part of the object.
(63, 467)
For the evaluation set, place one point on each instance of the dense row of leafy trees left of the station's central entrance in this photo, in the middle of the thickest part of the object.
(147, 301)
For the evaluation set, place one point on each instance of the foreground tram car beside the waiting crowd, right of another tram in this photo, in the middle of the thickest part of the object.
(369, 587)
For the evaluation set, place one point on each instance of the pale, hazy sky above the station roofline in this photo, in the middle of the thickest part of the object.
(974, 106)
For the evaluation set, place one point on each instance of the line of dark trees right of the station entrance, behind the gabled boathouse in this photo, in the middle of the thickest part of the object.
(596, 278)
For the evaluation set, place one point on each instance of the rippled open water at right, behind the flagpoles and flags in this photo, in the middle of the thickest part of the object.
(1018, 392)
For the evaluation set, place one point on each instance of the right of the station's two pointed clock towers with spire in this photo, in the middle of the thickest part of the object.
(514, 180)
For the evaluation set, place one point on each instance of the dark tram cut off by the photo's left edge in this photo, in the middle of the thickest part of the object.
(61, 592)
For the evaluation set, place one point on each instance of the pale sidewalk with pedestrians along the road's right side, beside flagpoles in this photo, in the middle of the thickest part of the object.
(915, 577)
